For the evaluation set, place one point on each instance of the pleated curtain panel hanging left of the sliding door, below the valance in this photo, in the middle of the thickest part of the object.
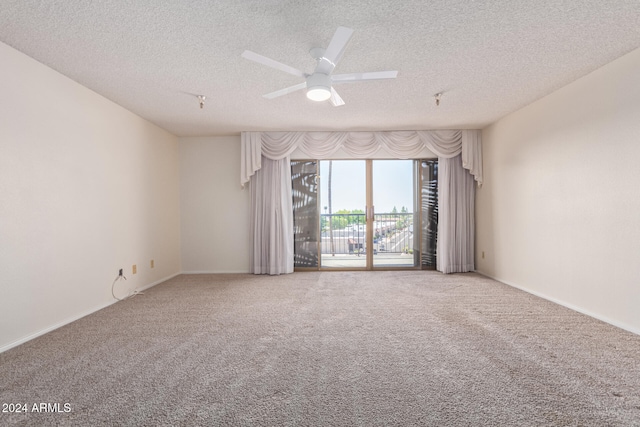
(272, 218)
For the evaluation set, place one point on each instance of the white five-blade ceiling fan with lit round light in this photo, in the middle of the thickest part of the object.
(319, 83)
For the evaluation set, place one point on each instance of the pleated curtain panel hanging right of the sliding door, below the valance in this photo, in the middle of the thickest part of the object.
(456, 213)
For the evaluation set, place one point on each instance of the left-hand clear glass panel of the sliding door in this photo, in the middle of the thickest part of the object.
(343, 221)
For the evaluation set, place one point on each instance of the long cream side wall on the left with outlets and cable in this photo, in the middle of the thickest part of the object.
(86, 188)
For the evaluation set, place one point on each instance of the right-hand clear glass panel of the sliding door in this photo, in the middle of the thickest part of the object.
(393, 194)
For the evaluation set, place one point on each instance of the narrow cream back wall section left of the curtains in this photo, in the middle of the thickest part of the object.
(214, 209)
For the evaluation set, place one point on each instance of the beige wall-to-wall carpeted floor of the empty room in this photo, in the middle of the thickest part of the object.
(328, 349)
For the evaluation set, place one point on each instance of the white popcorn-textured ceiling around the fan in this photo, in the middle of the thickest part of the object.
(489, 58)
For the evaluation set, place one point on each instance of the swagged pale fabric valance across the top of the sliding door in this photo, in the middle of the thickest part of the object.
(321, 145)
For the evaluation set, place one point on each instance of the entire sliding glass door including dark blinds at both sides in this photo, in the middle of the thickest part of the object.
(364, 214)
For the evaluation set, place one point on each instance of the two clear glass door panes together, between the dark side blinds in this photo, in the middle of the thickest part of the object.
(367, 214)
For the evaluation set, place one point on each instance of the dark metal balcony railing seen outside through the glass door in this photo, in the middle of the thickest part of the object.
(346, 233)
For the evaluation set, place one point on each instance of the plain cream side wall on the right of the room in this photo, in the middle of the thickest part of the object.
(559, 212)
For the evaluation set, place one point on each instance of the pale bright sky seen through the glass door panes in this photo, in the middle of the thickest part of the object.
(392, 185)
